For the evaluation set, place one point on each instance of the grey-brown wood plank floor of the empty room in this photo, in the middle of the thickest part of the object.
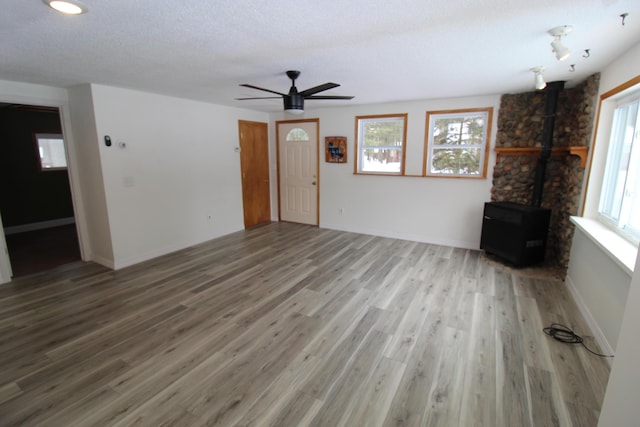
(290, 325)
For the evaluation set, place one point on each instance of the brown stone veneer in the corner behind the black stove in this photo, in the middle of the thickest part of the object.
(520, 123)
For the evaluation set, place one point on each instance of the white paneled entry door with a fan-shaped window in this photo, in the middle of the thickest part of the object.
(298, 171)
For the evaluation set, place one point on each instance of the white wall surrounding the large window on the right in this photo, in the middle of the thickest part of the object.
(601, 285)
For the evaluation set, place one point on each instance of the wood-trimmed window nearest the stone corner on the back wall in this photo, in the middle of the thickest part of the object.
(457, 142)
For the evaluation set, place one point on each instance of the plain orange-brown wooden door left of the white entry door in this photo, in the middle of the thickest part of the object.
(254, 163)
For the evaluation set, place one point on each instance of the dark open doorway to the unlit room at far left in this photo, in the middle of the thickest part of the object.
(36, 203)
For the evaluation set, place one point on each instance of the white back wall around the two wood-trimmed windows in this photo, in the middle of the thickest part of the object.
(445, 211)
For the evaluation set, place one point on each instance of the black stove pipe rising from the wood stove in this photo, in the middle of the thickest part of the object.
(550, 103)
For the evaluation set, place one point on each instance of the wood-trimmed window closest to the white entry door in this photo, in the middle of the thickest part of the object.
(380, 144)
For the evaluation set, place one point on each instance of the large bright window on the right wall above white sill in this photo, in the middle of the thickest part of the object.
(619, 202)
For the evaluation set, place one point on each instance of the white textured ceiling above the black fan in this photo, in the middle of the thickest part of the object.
(378, 50)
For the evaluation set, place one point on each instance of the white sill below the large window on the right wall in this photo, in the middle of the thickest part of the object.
(620, 250)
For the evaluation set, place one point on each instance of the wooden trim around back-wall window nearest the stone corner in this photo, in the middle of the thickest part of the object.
(484, 163)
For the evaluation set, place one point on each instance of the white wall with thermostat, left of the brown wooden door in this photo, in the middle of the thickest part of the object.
(178, 166)
